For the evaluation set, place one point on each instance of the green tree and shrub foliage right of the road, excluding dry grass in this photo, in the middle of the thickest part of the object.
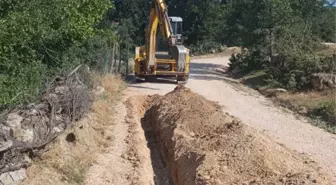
(283, 38)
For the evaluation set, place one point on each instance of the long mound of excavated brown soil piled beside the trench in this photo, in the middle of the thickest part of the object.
(202, 145)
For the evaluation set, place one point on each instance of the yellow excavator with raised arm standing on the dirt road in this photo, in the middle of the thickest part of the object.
(149, 64)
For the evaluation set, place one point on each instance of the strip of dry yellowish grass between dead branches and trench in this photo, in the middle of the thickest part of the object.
(76, 150)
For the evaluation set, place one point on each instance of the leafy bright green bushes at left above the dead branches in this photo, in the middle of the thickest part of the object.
(39, 38)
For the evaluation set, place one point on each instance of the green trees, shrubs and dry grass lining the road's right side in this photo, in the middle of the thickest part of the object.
(285, 50)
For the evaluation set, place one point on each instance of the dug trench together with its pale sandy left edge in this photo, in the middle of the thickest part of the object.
(143, 153)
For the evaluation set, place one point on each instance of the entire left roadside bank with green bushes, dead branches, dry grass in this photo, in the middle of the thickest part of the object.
(46, 49)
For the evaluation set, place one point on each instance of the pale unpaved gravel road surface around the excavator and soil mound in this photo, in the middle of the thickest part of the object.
(254, 110)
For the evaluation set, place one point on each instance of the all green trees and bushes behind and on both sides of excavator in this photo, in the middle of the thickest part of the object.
(40, 39)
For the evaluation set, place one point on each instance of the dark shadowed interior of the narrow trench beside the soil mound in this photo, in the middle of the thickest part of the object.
(161, 171)
